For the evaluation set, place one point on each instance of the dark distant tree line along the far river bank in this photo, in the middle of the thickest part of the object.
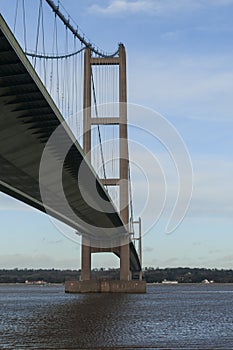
(150, 274)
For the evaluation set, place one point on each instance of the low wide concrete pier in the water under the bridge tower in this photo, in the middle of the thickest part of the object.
(105, 286)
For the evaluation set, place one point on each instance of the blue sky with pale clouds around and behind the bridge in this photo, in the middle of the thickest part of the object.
(179, 56)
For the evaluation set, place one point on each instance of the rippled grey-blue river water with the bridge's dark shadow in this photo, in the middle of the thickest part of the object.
(168, 316)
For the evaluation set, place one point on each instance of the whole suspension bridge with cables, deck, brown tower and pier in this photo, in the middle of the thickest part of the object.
(63, 138)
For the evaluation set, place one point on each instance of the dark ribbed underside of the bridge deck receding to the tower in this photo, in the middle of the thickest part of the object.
(28, 119)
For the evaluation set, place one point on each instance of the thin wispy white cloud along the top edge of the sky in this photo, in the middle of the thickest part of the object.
(159, 7)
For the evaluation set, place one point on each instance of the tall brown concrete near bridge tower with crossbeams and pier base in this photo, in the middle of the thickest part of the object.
(125, 284)
